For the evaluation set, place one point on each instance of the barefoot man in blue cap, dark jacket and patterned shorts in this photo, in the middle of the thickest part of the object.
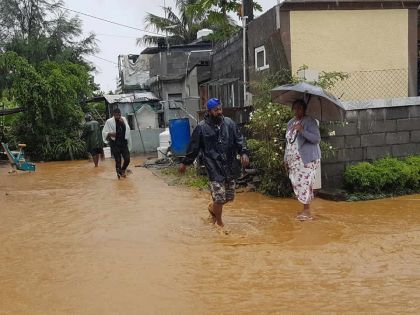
(220, 141)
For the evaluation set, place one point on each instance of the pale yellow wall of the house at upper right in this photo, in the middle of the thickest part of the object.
(354, 41)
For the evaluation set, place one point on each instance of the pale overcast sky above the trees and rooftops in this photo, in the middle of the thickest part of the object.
(114, 40)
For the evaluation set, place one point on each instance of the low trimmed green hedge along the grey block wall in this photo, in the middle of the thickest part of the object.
(384, 176)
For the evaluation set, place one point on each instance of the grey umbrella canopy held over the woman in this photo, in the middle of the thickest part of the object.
(321, 105)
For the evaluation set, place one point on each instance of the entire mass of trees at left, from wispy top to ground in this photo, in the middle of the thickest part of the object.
(43, 70)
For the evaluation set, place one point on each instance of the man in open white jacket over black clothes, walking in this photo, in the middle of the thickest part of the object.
(117, 133)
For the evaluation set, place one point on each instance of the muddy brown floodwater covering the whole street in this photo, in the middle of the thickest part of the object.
(75, 240)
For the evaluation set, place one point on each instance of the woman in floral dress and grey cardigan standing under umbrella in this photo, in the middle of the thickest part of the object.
(302, 156)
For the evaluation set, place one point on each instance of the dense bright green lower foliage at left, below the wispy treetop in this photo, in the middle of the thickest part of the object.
(51, 94)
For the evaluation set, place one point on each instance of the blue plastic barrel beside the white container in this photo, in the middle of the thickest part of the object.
(180, 135)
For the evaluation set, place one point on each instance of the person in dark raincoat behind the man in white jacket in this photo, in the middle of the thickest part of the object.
(93, 138)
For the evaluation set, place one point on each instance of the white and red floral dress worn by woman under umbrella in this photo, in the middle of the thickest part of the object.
(301, 175)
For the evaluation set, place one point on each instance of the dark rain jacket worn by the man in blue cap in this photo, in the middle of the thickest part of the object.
(219, 145)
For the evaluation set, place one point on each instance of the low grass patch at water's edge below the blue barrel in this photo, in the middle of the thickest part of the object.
(189, 179)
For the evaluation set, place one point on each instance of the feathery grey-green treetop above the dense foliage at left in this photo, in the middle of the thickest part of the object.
(41, 30)
